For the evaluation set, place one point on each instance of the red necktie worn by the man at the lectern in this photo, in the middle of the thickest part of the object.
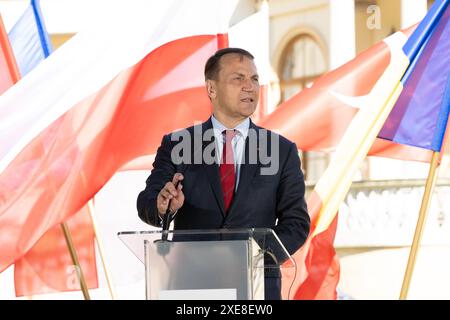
(227, 173)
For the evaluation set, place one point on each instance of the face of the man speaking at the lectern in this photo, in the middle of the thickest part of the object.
(235, 92)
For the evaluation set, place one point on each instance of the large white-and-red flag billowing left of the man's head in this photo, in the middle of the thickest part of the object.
(100, 101)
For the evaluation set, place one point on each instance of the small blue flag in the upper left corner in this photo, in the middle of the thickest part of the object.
(29, 39)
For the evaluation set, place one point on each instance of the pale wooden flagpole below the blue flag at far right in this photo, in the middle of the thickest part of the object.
(426, 200)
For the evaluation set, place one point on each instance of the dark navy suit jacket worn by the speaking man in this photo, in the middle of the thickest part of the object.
(261, 201)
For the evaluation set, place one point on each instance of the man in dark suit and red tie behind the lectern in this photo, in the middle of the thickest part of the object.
(238, 176)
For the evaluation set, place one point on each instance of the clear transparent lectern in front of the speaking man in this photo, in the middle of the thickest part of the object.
(207, 264)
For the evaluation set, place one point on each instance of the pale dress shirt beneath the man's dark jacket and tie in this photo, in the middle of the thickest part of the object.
(238, 142)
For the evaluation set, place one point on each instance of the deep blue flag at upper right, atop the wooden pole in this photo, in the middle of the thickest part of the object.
(420, 115)
